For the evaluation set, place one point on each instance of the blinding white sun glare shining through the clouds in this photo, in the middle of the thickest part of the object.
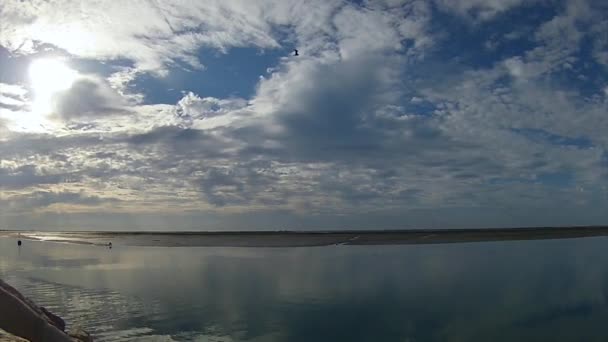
(48, 77)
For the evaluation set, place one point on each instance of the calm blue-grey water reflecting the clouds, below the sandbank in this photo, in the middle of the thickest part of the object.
(554, 290)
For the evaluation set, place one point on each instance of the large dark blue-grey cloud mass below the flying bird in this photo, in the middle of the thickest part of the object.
(330, 110)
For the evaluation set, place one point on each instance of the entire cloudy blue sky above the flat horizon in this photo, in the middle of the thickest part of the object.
(181, 115)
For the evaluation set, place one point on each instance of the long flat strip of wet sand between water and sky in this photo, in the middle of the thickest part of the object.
(310, 238)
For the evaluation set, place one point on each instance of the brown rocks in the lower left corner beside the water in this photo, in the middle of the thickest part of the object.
(22, 320)
